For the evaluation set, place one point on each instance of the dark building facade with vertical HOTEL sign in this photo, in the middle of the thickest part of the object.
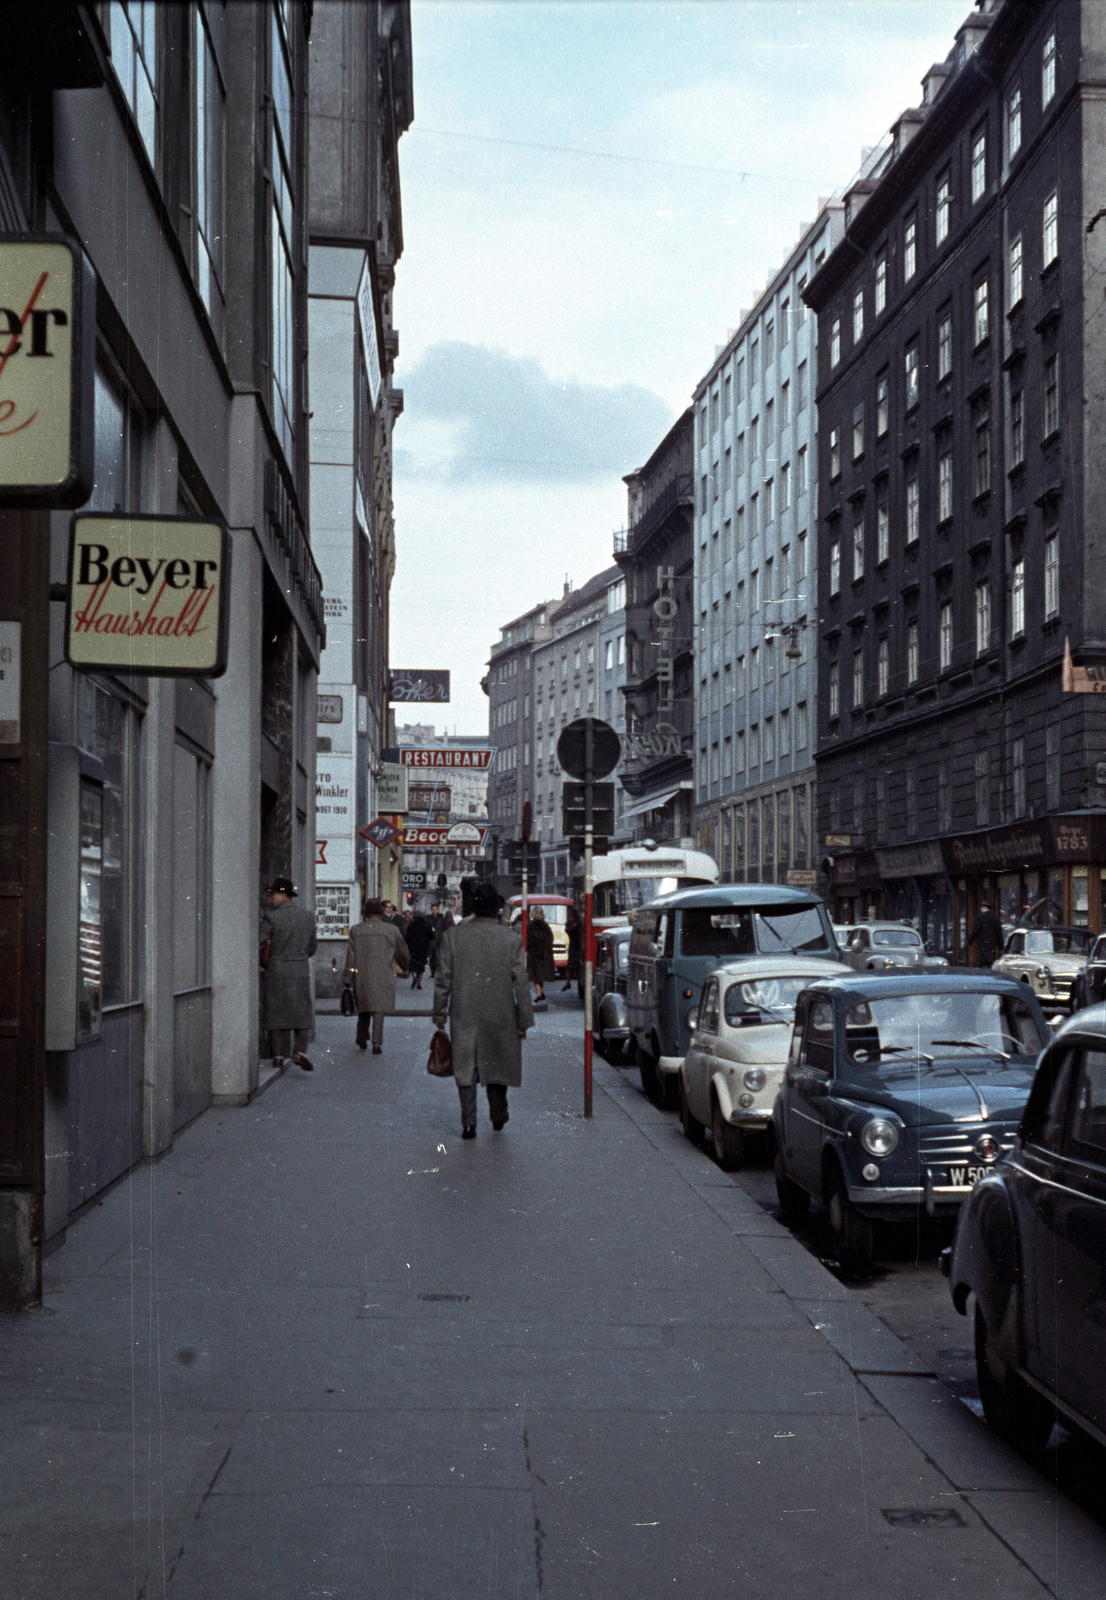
(657, 559)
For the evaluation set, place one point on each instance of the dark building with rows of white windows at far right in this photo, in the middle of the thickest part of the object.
(963, 412)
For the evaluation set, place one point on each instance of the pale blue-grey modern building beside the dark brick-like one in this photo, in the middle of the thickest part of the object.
(756, 601)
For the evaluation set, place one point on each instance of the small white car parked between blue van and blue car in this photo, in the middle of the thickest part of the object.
(740, 1042)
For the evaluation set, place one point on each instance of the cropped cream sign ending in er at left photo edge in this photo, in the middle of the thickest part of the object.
(47, 364)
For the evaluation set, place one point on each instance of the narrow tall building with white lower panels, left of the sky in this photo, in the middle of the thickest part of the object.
(361, 103)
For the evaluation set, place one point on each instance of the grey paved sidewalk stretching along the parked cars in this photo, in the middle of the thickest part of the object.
(324, 1348)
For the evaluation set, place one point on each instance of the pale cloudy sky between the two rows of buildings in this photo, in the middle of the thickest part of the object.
(595, 193)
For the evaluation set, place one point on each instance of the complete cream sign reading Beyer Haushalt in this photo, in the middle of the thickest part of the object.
(150, 594)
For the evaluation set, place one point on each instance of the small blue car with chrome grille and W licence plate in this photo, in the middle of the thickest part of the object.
(900, 1094)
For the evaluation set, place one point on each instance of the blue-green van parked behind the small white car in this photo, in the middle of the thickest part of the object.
(679, 940)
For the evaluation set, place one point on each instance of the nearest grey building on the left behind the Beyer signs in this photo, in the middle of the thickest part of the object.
(170, 143)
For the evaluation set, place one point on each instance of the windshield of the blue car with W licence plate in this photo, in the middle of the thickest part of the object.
(892, 1036)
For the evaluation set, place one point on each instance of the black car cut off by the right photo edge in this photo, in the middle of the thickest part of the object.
(1032, 1250)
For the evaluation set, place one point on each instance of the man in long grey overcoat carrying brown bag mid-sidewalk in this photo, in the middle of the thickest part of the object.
(483, 988)
